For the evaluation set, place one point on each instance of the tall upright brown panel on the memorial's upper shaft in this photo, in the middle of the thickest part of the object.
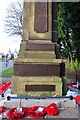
(40, 18)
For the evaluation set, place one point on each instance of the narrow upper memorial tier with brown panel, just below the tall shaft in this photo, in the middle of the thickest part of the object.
(45, 45)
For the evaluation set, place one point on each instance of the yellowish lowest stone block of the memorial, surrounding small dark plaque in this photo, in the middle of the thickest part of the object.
(19, 83)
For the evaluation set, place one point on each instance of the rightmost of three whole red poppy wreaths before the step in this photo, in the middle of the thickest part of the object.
(52, 109)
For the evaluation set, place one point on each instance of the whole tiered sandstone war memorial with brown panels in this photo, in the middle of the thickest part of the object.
(39, 69)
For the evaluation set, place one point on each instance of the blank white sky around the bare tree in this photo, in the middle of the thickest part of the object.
(7, 42)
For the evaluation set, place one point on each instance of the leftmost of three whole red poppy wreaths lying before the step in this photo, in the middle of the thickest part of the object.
(14, 113)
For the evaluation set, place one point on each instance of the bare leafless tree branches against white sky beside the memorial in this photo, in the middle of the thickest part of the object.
(14, 19)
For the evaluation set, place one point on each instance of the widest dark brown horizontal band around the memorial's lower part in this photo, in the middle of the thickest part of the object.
(38, 69)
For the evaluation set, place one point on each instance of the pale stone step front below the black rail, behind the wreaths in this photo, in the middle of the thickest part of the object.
(28, 103)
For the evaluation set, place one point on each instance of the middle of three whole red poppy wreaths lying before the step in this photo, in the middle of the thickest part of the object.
(33, 113)
